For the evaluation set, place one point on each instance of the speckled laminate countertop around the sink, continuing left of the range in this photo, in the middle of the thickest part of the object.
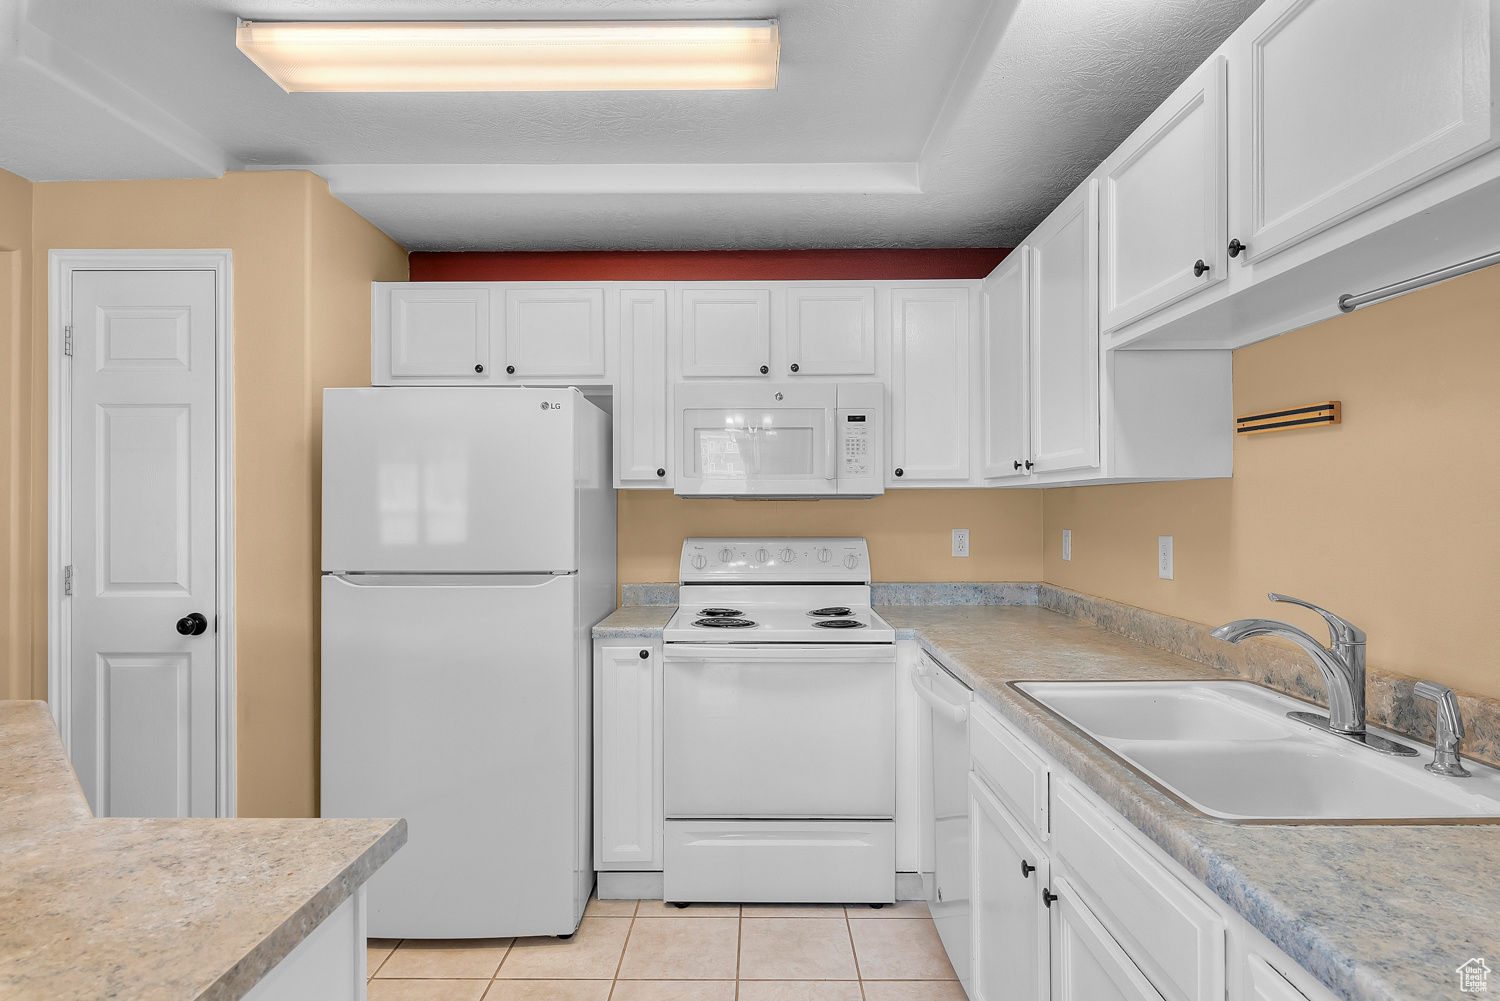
(1376, 913)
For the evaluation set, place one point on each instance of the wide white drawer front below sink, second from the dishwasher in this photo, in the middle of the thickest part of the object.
(1171, 934)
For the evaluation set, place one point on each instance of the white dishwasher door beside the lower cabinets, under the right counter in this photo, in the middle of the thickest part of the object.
(949, 702)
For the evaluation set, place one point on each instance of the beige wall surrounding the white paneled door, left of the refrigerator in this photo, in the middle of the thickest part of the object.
(302, 271)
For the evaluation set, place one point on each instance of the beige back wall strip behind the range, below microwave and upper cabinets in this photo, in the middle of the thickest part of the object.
(910, 532)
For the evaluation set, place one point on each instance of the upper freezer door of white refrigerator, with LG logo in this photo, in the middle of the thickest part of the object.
(449, 479)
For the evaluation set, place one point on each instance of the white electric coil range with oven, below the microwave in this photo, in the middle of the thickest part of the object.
(778, 727)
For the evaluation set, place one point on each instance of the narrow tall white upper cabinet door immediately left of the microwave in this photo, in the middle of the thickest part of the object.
(643, 457)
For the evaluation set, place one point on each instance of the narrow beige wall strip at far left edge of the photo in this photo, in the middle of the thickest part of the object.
(23, 618)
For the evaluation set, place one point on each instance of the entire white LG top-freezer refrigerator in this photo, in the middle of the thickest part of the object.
(469, 549)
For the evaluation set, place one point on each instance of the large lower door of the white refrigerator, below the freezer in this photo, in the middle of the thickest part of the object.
(460, 709)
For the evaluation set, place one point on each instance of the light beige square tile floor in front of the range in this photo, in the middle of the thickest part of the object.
(647, 951)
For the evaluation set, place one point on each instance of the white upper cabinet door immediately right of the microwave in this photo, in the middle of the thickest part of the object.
(931, 385)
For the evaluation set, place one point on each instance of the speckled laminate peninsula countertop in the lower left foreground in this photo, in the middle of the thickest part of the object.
(155, 909)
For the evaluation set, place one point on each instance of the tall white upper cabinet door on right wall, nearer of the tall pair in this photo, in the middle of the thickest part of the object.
(1066, 338)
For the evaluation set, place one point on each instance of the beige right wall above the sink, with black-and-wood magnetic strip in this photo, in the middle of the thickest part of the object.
(1390, 519)
